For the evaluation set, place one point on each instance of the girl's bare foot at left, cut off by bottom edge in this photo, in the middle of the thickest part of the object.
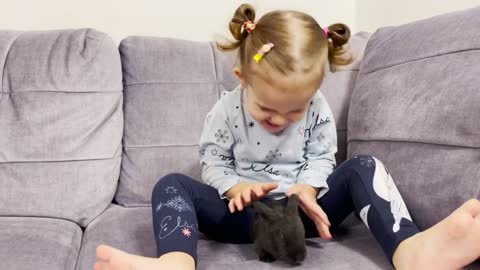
(109, 258)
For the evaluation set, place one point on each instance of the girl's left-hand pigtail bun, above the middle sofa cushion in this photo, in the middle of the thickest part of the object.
(244, 13)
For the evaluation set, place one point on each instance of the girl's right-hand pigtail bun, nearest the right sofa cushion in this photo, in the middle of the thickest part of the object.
(338, 48)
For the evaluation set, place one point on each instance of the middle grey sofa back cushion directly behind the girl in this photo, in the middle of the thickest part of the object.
(170, 85)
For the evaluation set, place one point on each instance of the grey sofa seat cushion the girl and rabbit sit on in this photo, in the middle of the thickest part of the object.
(131, 229)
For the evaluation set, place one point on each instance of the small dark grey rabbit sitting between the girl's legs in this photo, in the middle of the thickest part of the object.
(279, 232)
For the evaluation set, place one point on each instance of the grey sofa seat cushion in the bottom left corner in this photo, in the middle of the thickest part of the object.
(38, 243)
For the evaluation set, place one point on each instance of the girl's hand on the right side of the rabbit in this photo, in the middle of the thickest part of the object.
(308, 202)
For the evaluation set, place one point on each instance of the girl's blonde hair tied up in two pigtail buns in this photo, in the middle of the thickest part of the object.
(299, 41)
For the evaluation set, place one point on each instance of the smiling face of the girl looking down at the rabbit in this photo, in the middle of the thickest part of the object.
(278, 101)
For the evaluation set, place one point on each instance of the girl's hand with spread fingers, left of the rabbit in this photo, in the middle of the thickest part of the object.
(244, 194)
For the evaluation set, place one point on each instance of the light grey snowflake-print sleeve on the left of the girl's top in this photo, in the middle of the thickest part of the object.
(216, 155)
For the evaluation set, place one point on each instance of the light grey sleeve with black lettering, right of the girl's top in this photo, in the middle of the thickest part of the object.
(320, 148)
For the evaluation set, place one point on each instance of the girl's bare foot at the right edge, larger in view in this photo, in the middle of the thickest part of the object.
(450, 244)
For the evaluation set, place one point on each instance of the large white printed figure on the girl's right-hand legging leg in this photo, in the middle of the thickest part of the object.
(385, 188)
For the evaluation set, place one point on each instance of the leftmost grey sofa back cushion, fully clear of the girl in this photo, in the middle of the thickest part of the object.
(61, 123)
